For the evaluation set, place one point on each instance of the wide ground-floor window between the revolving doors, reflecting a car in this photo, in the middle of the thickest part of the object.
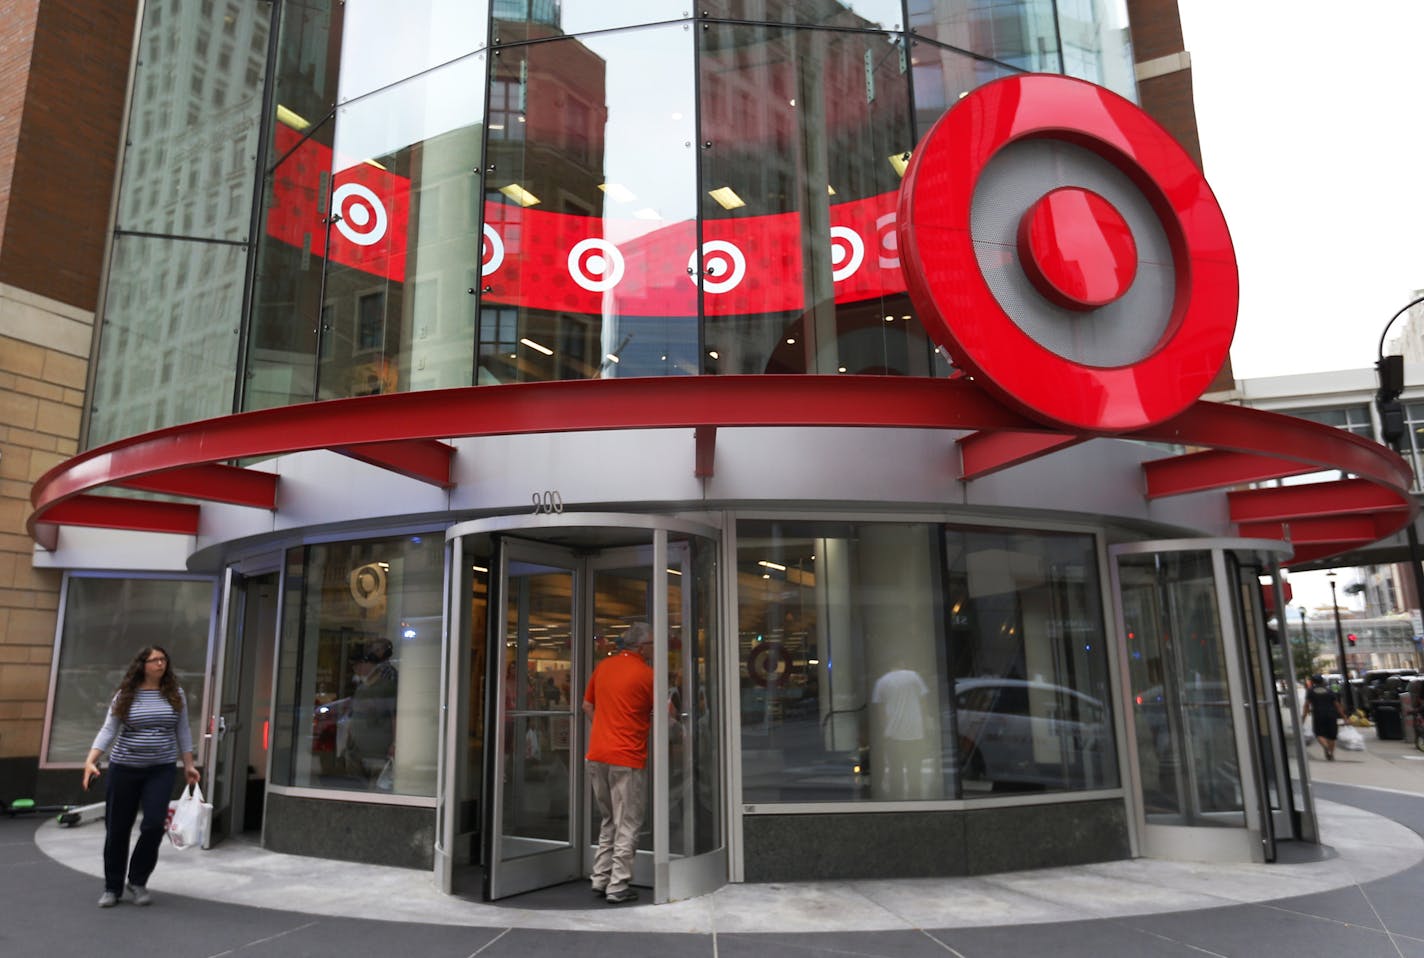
(886, 663)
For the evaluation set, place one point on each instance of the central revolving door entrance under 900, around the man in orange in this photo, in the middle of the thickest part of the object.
(538, 609)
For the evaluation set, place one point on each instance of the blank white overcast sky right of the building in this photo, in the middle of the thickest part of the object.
(1314, 142)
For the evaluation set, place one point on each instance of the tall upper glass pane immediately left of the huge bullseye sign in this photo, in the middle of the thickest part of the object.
(804, 135)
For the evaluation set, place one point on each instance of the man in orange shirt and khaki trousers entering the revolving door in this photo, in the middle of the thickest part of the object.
(620, 701)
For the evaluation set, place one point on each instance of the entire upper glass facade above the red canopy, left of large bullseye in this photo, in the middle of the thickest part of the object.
(348, 199)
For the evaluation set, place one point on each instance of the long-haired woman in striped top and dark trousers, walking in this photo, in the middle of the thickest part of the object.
(146, 734)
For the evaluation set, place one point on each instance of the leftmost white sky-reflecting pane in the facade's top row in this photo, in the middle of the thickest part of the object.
(385, 43)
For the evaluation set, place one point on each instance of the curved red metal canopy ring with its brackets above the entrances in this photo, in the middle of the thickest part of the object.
(401, 431)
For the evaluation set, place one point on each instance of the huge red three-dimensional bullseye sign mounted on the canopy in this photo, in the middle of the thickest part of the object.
(1074, 265)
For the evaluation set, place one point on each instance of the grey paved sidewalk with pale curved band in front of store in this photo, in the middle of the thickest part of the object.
(1359, 900)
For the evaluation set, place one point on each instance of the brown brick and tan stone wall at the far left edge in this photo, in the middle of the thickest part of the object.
(63, 76)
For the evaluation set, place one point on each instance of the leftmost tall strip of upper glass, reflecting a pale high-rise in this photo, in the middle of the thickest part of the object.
(167, 348)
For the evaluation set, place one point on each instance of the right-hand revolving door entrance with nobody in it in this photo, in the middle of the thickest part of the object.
(1211, 772)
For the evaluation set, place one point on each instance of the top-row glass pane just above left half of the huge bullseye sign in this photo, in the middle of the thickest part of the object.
(1022, 33)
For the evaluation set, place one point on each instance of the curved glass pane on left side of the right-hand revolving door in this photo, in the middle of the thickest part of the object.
(1187, 745)
